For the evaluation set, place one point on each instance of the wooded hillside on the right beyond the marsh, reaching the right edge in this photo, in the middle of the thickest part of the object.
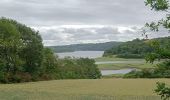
(136, 48)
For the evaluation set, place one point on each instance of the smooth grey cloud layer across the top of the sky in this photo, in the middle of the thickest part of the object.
(57, 12)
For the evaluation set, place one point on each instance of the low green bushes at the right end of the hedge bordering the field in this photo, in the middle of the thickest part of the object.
(78, 68)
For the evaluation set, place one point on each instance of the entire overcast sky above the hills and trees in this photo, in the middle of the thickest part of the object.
(63, 22)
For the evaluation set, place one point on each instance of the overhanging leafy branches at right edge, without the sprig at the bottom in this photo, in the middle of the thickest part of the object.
(159, 52)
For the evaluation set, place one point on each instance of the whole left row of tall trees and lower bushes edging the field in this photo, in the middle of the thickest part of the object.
(23, 57)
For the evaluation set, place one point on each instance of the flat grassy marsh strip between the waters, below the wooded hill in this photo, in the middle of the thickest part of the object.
(127, 63)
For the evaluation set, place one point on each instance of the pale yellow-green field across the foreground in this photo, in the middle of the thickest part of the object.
(99, 89)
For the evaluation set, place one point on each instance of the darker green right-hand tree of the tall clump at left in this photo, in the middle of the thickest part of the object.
(32, 51)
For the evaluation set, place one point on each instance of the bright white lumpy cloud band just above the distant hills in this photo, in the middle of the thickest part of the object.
(60, 35)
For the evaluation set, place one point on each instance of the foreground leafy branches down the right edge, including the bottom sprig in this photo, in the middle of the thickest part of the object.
(160, 5)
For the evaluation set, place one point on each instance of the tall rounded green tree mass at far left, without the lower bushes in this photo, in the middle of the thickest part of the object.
(21, 51)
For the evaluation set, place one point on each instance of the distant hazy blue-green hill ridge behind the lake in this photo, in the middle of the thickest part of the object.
(84, 47)
